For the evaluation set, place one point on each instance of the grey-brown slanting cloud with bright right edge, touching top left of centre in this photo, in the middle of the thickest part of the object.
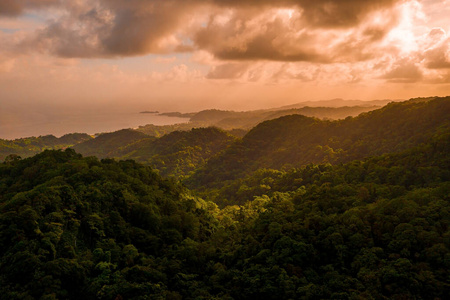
(142, 27)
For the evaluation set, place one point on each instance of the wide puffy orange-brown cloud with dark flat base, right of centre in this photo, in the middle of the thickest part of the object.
(284, 35)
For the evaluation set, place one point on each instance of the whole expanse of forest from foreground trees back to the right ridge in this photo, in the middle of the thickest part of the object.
(299, 208)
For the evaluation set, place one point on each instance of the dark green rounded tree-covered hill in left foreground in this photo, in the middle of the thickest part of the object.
(73, 227)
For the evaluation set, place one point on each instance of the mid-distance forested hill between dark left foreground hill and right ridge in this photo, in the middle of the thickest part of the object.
(178, 153)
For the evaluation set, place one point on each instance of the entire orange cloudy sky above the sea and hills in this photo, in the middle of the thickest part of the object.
(187, 55)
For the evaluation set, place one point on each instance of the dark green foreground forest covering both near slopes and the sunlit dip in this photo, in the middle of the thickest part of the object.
(80, 228)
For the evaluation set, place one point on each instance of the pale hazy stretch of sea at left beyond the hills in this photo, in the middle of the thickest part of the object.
(16, 126)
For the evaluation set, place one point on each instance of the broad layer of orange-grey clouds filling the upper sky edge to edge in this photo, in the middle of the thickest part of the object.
(349, 42)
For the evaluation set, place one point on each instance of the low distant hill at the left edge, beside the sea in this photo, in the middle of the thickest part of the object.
(26, 147)
